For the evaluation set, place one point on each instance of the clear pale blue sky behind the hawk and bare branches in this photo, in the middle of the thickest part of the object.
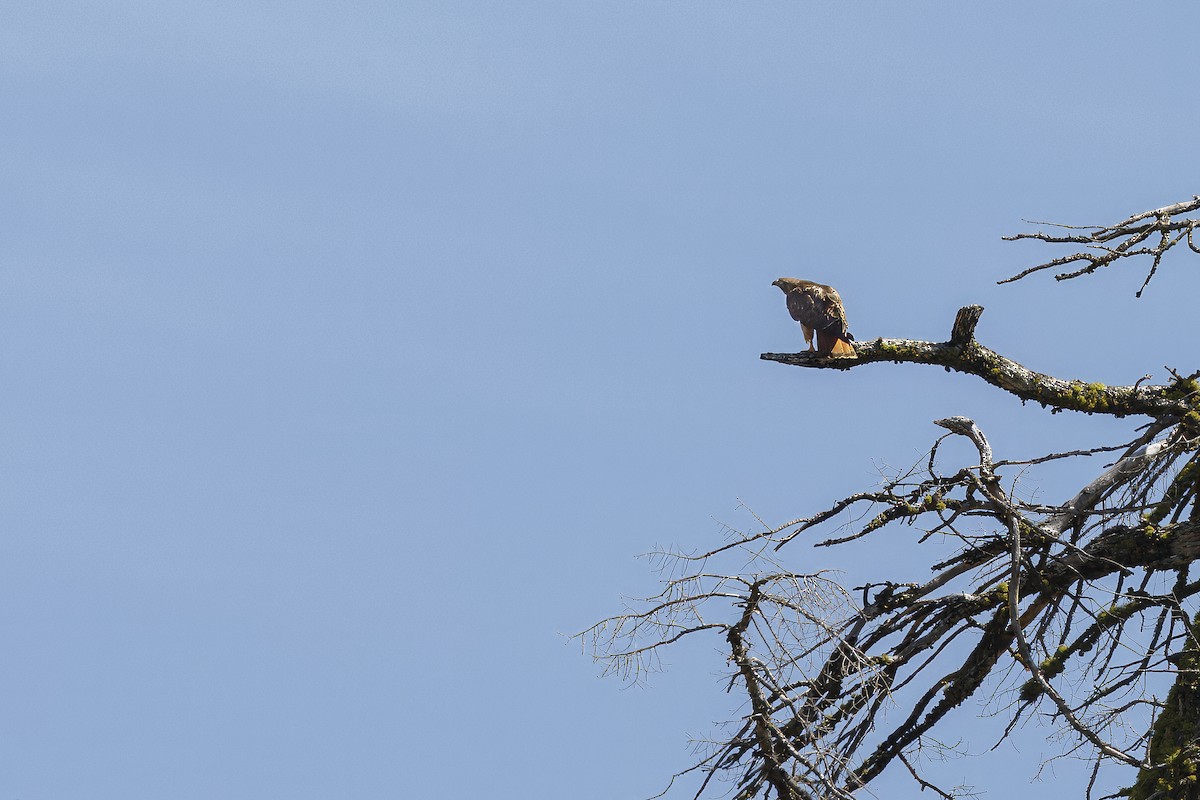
(352, 352)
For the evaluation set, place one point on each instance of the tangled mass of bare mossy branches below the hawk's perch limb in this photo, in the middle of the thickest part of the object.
(818, 670)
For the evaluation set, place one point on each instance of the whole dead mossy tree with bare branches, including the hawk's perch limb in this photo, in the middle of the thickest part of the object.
(1081, 607)
